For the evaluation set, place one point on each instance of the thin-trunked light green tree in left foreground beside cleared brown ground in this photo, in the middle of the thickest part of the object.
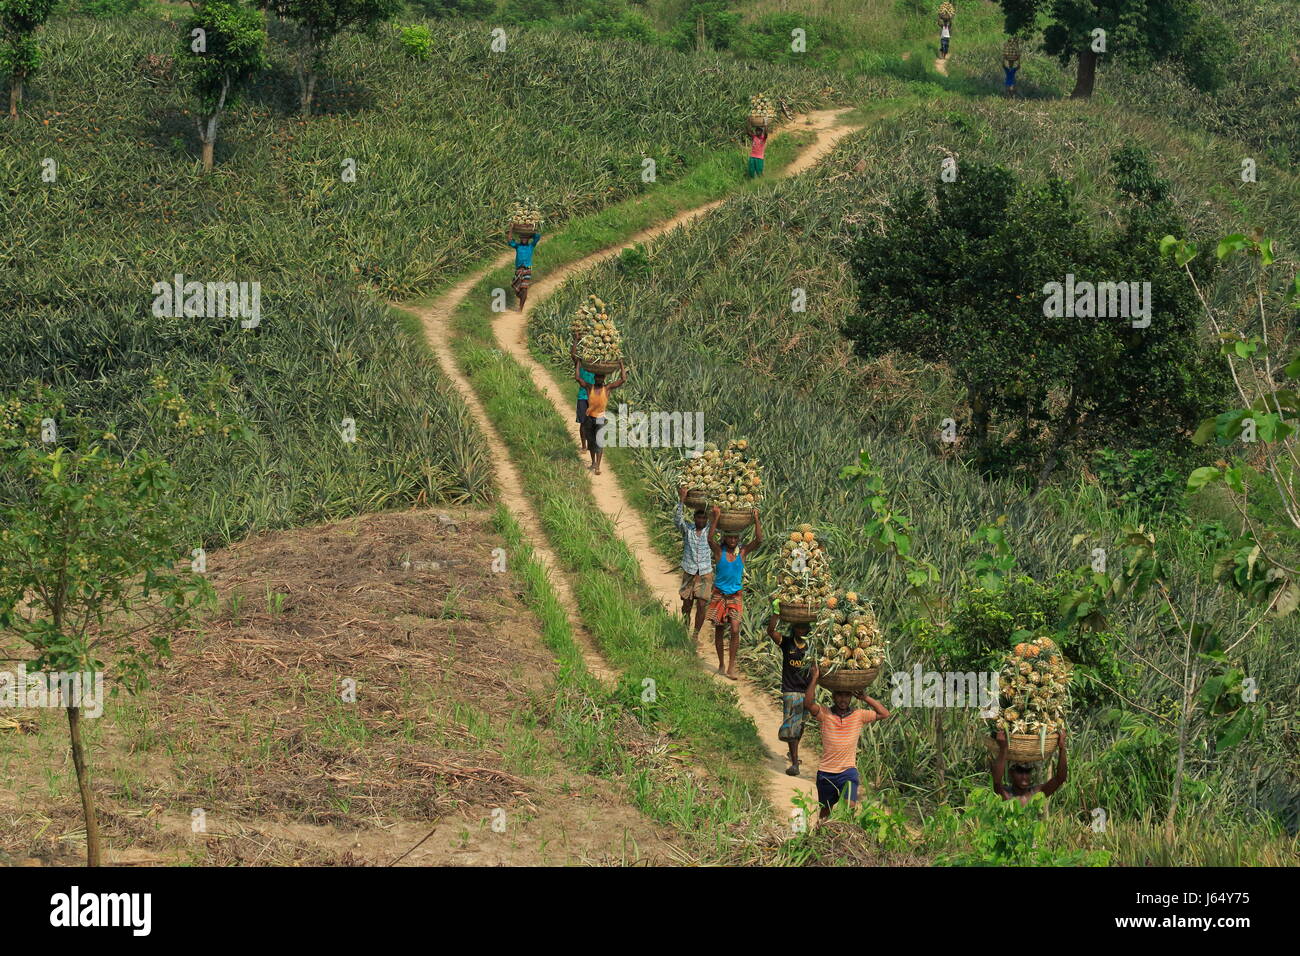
(88, 550)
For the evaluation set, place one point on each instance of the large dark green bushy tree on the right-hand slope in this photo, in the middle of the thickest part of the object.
(964, 280)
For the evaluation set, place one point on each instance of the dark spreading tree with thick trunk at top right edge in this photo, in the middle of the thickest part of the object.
(1139, 31)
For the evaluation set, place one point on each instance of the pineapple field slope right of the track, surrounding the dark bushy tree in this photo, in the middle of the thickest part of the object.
(721, 339)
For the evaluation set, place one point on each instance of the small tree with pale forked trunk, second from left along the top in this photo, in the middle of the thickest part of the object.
(224, 46)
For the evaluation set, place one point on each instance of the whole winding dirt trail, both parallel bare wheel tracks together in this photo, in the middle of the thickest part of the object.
(512, 334)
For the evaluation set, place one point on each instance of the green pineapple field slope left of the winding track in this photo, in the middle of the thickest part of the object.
(441, 146)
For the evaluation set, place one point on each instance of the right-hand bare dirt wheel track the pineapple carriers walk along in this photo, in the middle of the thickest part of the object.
(512, 332)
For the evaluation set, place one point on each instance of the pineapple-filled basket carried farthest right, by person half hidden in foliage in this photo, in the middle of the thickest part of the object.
(1034, 690)
